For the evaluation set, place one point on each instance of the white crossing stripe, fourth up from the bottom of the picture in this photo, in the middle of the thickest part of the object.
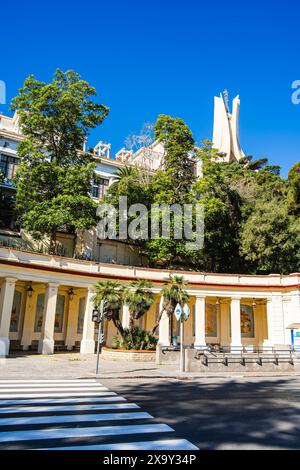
(87, 407)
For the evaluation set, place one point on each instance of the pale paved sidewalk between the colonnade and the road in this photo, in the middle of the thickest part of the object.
(75, 365)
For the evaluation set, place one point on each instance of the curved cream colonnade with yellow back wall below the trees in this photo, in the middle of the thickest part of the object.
(25, 277)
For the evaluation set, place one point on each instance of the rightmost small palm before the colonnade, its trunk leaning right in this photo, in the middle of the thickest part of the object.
(173, 293)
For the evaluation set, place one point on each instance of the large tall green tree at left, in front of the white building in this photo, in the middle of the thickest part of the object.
(54, 177)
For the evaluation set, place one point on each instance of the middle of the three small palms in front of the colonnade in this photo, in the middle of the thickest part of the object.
(139, 298)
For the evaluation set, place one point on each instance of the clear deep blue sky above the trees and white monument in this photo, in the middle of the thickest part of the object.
(171, 57)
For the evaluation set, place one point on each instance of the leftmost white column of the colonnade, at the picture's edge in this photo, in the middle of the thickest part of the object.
(6, 303)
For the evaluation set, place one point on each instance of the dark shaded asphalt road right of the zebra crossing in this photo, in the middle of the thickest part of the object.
(234, 413)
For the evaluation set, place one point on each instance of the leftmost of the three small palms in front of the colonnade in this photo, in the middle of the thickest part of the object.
(112, 293)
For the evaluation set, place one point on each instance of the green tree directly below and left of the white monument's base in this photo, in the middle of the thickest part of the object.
(222, 215)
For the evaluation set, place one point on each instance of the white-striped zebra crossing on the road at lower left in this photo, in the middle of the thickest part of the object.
(78, 414)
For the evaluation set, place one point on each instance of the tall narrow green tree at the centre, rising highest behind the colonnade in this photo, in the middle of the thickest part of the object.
(171, 185)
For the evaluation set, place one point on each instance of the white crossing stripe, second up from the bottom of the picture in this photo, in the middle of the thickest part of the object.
(61, 433)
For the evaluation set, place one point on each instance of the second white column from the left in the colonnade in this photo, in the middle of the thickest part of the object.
(46, 343)
